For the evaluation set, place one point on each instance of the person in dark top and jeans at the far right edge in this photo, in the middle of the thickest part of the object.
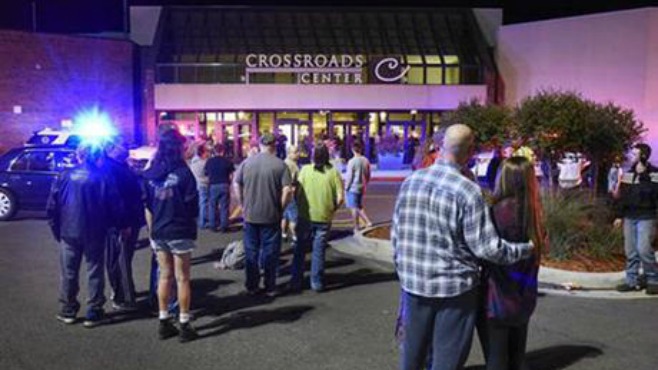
(637, 204)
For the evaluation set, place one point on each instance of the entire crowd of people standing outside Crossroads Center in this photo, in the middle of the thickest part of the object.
(466, 258)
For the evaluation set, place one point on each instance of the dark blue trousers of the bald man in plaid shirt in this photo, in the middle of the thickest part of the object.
(443, 324)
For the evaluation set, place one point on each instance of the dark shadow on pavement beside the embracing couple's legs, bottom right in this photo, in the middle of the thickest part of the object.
(556, 357)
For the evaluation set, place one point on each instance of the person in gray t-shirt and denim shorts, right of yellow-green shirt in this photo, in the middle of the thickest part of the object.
(358, 176)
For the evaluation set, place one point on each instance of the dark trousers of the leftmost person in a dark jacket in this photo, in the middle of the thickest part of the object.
(70, 257)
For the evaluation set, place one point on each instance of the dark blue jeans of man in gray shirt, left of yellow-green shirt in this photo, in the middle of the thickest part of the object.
(262, 240)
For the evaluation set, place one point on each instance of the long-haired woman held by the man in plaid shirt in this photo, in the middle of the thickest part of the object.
(510, 292)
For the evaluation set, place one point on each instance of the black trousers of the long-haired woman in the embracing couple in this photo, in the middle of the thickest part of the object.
(503, 345)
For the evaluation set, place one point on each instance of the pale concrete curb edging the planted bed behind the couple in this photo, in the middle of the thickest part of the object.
(552, 281)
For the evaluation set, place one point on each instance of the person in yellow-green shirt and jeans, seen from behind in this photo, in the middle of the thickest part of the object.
(319, 195)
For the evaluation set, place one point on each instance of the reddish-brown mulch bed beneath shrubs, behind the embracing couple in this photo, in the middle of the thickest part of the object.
(578, 262)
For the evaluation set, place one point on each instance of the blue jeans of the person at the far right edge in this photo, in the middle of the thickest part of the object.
(638, 235)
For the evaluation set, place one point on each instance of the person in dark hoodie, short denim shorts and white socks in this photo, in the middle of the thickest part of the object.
(172, 199)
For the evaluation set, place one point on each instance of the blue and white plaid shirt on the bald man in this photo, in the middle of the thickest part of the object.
(441, 227)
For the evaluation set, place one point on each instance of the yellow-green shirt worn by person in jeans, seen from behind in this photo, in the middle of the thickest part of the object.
(319, 193)
